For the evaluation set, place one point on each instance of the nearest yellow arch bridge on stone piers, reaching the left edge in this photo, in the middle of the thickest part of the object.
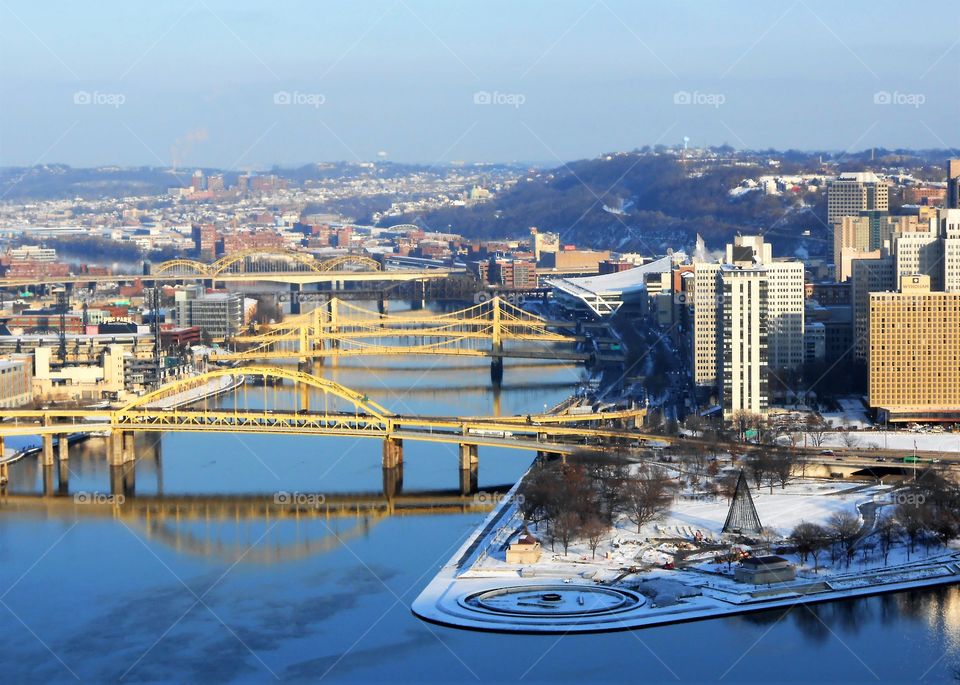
(317, 407)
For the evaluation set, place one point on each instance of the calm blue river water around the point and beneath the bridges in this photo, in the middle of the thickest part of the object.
(107, 599)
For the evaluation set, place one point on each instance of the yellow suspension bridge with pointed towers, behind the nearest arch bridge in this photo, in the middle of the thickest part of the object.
(494, 328)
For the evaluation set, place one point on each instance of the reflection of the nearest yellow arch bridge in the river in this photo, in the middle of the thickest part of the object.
(256, 529)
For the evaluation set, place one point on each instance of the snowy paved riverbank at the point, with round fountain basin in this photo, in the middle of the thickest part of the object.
(476, 590)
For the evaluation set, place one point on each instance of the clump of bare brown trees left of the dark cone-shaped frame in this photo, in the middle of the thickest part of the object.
(581, 497)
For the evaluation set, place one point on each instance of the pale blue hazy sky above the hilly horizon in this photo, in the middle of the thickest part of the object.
(243, 85)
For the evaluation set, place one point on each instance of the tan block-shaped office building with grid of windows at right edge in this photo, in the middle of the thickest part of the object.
(914, 363)
